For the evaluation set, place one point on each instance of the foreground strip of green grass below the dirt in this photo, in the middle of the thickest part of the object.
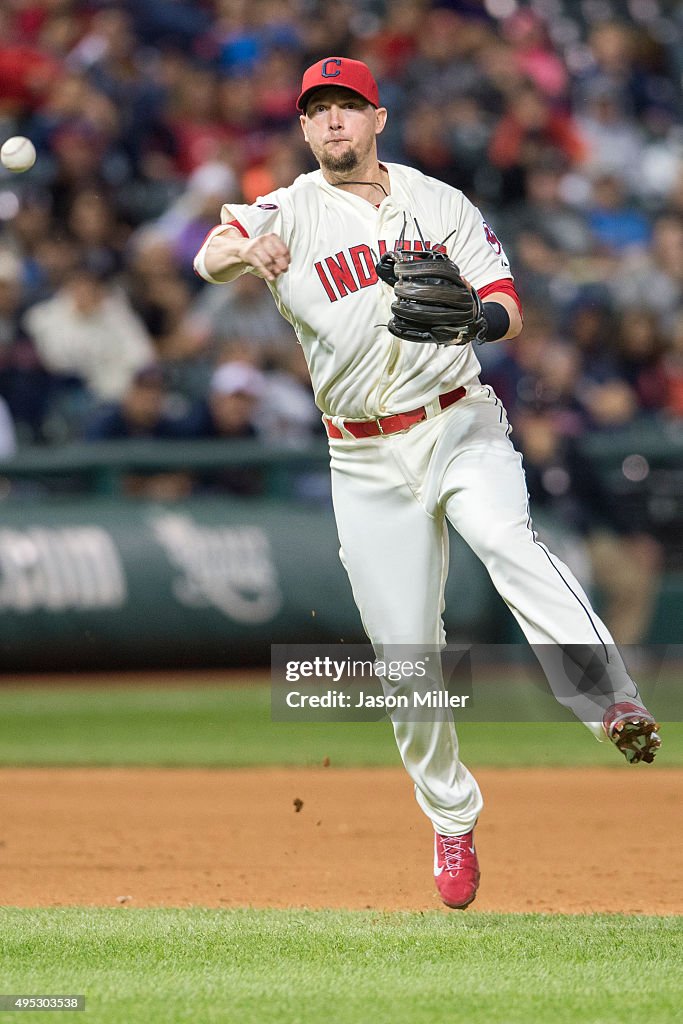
(167, 967)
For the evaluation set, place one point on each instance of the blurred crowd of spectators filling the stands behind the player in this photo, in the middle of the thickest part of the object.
(562, 120)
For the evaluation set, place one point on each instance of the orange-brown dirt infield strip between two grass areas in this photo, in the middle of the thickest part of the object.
(549, 840)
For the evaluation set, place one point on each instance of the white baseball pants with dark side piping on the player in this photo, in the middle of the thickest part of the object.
(392, 497)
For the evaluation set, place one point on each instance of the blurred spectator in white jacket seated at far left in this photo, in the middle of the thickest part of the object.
(90, 331)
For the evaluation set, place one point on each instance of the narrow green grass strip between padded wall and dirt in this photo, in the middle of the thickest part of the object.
(232, 727)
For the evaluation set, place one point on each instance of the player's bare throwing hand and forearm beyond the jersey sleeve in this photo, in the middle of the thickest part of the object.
(229, 253)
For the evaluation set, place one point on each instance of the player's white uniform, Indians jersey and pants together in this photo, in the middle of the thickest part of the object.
(394, 494)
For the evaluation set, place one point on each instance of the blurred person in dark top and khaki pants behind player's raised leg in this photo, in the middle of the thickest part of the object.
(586, 525)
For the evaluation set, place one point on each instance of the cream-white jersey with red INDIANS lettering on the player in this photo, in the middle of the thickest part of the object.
(332, 296)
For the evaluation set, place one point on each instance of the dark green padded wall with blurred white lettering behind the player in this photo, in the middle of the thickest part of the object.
(114, 584)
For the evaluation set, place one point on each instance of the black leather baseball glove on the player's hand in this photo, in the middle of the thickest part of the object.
(433, 304)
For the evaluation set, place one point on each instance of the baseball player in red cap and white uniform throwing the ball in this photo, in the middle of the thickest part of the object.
(389, 277)
